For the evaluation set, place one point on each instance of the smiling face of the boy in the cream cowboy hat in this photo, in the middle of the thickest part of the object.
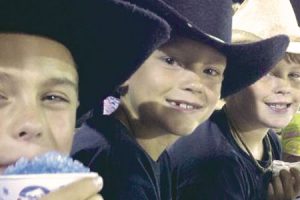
(273, 100)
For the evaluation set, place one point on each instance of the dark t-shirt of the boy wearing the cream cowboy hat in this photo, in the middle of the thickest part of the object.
(208, 164)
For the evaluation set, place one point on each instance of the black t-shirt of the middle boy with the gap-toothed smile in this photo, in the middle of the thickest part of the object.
(104, 145)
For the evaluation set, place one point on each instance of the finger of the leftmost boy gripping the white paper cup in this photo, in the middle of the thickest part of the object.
(79, 190)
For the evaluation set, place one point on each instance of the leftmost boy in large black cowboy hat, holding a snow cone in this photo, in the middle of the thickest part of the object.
(46, 47)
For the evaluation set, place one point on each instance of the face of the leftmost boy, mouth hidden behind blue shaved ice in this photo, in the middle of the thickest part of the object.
(38, 97)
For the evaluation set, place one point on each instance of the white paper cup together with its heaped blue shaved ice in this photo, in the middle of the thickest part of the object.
(30, 179)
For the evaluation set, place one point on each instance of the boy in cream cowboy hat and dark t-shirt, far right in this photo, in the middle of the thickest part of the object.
(231, 155)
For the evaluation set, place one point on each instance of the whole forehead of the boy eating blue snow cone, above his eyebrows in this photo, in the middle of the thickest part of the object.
(36, 56)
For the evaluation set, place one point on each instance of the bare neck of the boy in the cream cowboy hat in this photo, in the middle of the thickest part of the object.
(251, 134)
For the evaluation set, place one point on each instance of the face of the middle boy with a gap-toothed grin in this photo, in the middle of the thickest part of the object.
(177, 87)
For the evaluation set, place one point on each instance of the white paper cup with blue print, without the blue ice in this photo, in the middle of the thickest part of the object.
(34, 186)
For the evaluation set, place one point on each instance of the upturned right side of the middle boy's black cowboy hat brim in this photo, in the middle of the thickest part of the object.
(247, 63)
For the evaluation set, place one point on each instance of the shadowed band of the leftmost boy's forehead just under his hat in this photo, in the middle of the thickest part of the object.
(22, 46)
